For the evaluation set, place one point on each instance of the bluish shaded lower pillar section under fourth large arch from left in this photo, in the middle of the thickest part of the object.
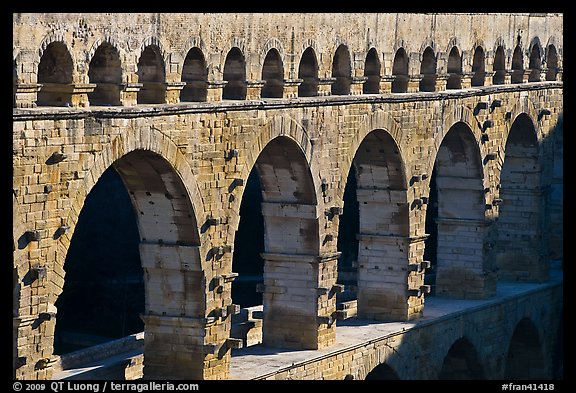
(462, 269)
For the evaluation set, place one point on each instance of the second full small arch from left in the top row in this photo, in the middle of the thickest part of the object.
(105, 70)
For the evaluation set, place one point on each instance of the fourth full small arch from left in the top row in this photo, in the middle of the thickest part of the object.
(195, 75)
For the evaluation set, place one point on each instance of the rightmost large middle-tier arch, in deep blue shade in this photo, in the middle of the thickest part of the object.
(519, 221)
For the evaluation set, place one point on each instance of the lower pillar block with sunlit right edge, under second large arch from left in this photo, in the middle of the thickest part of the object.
(299, 300)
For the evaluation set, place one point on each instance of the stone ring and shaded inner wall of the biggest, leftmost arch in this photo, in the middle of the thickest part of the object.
(167, 207)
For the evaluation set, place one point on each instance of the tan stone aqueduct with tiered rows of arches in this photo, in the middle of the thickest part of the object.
(184, 106)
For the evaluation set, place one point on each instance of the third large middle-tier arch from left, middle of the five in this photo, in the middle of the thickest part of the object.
(383, 244)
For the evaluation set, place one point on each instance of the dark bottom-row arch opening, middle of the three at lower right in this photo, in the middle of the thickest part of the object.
(461, 362)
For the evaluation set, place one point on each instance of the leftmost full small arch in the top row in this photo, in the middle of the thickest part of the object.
(55, 74)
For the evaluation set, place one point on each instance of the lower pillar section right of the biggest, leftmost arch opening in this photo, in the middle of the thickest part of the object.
(180, 341)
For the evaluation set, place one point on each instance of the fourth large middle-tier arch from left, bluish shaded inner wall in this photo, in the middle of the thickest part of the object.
(457, 181)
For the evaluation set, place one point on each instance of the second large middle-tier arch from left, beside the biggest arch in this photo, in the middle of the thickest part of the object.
(290, 262)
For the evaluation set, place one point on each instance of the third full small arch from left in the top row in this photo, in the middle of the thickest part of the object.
(150, 73)
